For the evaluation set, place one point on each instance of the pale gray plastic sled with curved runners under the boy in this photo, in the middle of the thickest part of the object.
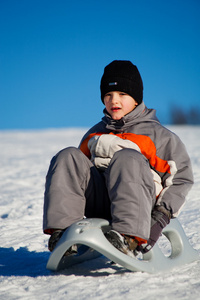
(88, 234)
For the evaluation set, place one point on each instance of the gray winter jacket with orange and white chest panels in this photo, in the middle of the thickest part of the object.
(142, 131)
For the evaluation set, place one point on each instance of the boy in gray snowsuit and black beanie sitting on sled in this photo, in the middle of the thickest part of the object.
(128, 169)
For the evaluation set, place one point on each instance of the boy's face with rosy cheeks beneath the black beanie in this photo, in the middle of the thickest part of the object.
(119, 104)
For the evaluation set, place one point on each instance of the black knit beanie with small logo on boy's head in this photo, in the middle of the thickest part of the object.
(123, 76)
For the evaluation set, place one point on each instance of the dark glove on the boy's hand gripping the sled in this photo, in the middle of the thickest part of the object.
(160, 217)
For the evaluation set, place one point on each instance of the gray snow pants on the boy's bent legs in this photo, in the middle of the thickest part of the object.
(123, 194)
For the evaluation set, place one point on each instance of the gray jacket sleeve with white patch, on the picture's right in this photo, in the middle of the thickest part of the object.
(177, 182)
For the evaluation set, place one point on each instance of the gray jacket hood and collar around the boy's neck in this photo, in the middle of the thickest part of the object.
(140, 114)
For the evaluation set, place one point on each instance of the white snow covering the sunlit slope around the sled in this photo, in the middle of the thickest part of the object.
(24, 161)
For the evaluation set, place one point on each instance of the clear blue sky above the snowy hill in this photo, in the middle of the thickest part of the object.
(52, 56)
